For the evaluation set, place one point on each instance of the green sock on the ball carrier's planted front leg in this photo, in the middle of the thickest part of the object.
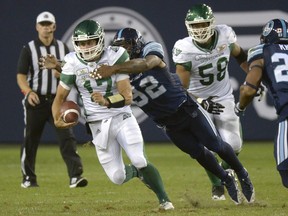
(152, 179)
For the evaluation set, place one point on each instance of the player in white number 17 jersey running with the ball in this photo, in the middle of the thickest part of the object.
(107, 109)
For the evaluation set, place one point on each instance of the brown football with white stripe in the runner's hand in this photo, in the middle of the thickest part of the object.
(71, 111)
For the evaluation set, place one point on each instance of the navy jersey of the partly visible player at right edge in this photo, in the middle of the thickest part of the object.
(275, 73)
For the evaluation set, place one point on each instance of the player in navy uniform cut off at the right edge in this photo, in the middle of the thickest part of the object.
(268, 63)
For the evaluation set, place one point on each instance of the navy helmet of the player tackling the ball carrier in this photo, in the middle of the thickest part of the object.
(131, 40)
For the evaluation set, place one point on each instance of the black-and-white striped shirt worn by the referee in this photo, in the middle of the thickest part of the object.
(43, 82)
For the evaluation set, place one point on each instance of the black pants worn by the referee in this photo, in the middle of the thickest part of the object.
(35, 119)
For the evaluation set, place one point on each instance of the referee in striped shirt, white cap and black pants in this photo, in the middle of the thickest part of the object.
(39, 89)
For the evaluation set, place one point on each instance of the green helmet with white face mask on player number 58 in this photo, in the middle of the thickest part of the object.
(200, 13)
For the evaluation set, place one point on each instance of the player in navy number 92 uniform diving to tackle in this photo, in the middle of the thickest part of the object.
(161, 96)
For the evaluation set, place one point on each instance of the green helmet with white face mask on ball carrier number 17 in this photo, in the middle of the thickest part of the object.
(88, 30)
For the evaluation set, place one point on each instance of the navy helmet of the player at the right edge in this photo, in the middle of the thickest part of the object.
(275, 31)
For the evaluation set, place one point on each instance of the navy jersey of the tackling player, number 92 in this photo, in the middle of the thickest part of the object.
(157, 92)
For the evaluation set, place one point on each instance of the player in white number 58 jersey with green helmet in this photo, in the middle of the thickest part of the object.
(201, 61)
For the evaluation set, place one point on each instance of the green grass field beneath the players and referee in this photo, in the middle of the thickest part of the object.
(185, 182)
